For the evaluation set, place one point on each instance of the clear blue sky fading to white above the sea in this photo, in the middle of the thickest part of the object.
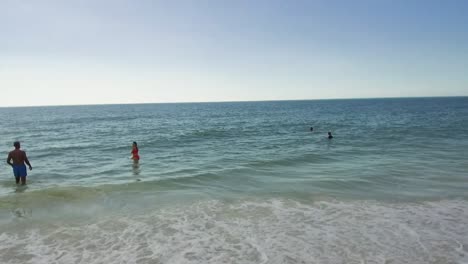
(55, 52)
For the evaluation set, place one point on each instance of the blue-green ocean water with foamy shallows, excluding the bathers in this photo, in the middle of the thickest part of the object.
(239, 182)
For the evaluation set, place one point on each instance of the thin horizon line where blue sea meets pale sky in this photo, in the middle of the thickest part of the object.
(238, 101)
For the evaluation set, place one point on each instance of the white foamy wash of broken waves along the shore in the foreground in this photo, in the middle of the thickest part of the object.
(254, 231)
